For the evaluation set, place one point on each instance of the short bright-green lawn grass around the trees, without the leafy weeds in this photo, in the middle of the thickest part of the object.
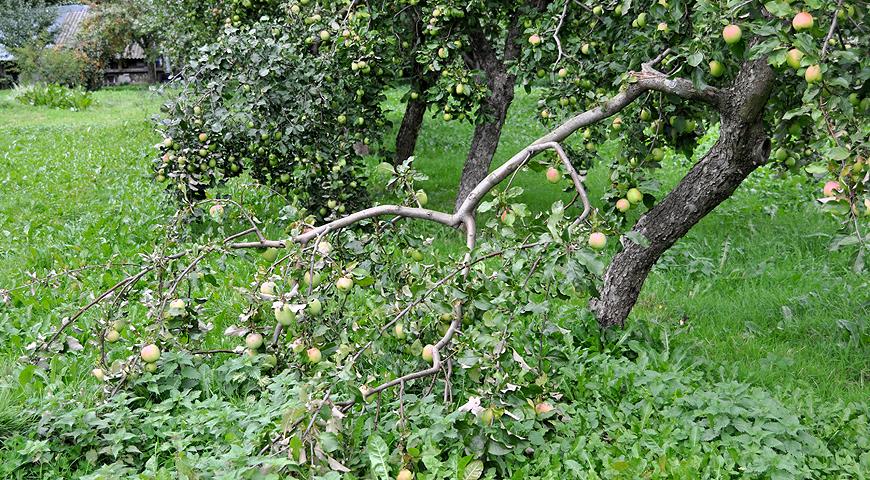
(753, 289)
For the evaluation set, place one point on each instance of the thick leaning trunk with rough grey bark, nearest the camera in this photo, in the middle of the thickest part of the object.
(743, 145)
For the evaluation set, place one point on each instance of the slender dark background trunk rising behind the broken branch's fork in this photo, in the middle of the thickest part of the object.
(486, 135)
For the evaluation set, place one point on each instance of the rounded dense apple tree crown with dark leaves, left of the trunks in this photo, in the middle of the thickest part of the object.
(284, 100)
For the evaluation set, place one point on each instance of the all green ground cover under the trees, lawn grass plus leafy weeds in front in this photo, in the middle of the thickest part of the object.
(748, 345)
